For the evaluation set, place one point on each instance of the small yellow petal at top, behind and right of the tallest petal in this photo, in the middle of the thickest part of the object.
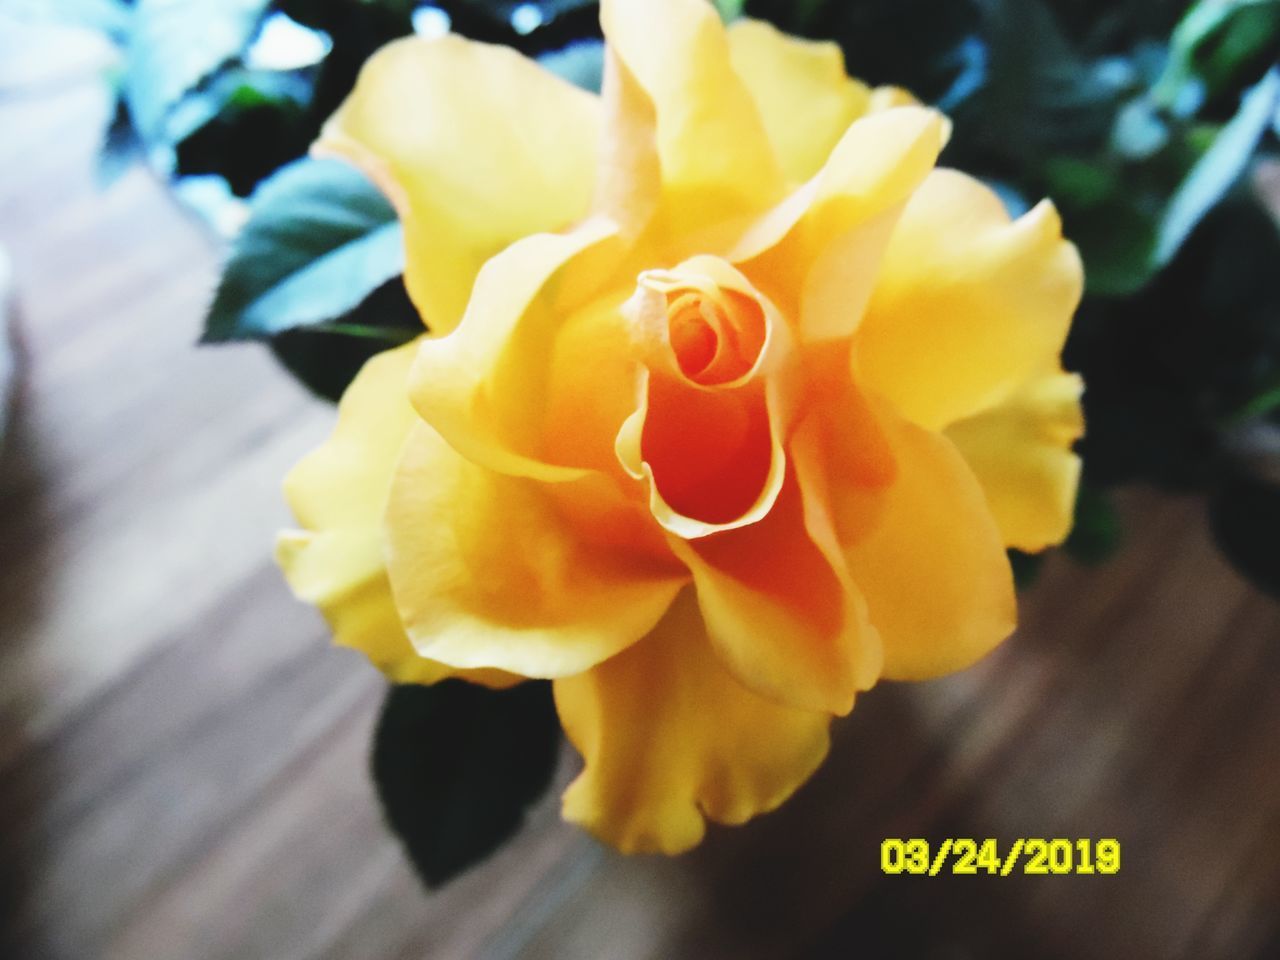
(801, 89)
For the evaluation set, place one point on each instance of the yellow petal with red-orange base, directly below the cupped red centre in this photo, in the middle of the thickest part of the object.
(781, 610)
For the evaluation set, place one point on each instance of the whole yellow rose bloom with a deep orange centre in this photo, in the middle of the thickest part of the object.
(730, 408)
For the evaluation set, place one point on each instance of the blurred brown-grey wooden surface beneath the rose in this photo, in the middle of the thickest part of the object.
(184, 760)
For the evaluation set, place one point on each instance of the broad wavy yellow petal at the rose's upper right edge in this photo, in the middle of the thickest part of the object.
(968, 305)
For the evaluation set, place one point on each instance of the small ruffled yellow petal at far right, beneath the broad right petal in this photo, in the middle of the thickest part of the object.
(1022, 454)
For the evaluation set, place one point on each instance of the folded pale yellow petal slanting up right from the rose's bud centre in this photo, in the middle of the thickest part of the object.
(819, 253)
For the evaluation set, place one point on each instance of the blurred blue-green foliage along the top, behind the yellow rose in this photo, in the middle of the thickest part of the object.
(1144, 120)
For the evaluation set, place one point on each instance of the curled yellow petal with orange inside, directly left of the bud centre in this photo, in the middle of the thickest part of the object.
(487, 386)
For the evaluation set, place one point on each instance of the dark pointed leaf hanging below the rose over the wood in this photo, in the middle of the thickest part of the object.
(458, 765)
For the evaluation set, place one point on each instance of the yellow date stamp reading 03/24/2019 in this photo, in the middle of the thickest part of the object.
(1031, 856)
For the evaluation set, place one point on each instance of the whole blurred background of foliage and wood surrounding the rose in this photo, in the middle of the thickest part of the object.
(185, 760)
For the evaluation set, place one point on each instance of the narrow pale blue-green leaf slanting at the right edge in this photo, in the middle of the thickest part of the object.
(1219, 168)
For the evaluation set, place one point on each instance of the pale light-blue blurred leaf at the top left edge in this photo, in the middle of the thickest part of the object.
(176, 45)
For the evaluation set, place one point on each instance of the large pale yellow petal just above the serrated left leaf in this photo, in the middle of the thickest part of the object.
(477, 147)
